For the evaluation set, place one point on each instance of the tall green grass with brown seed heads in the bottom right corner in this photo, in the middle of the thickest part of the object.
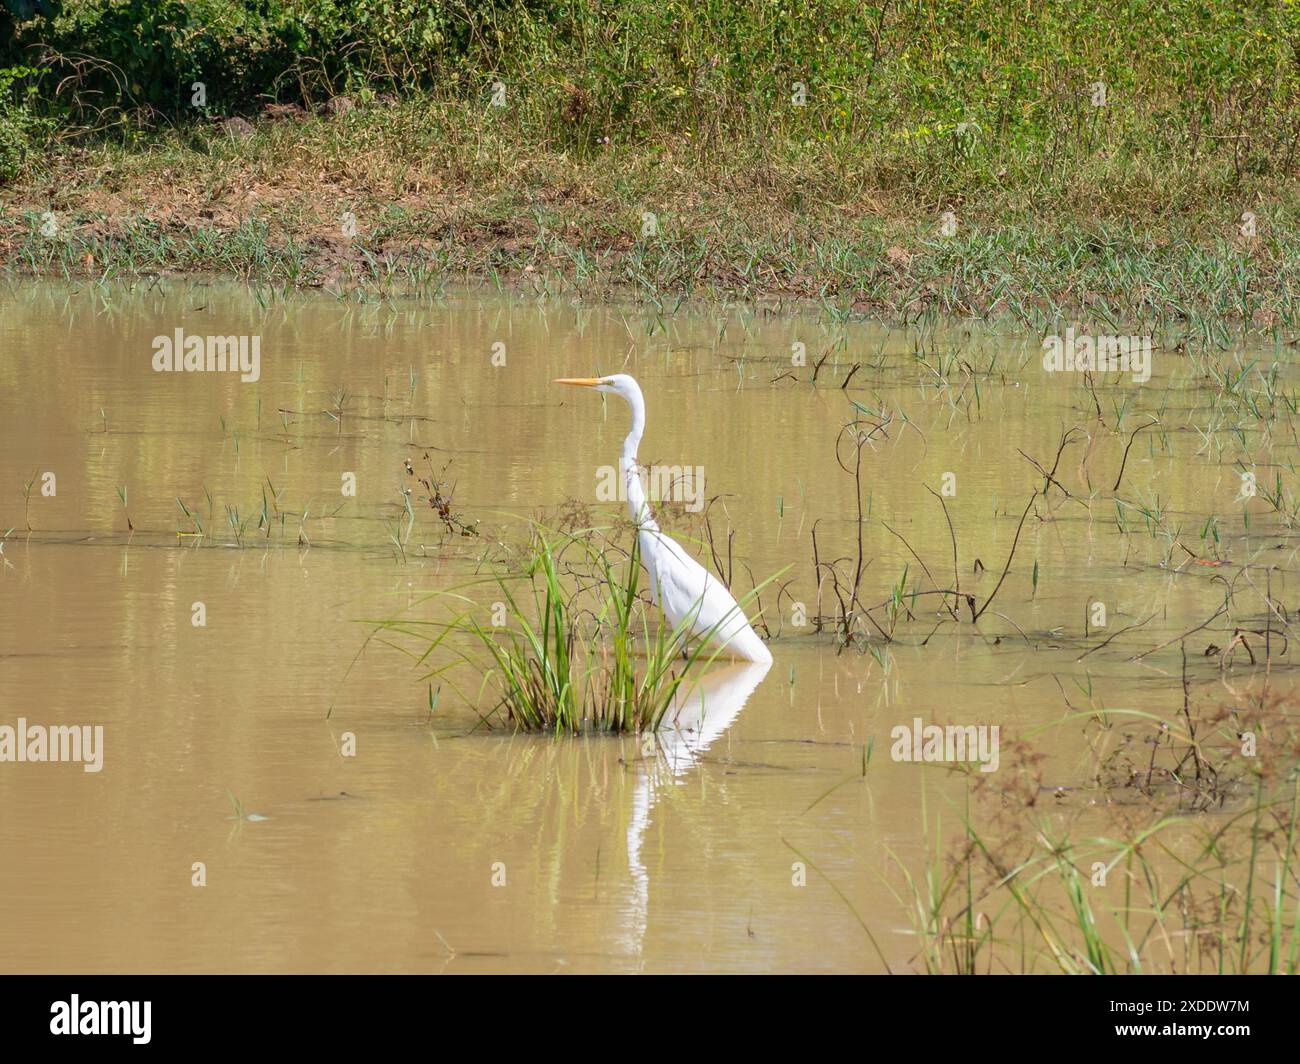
(1164, 892)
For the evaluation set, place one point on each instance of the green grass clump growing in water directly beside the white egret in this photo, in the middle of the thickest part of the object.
(579, 648)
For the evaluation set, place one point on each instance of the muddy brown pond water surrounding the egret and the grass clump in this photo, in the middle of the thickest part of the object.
(443, 847)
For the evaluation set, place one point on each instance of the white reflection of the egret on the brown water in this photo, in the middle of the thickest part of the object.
(700, 715)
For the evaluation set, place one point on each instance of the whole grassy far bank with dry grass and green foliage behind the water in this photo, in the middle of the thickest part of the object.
(1094, 163)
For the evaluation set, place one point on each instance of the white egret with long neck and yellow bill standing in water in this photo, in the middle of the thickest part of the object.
(679, 585)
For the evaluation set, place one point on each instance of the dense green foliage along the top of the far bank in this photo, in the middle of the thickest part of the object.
(1009, 67)
